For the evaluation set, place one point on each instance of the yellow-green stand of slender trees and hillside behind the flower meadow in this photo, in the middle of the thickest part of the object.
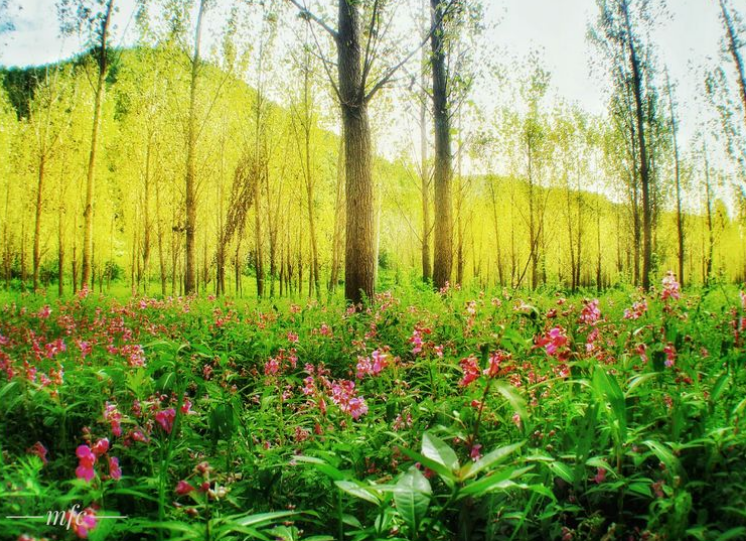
(237, 148)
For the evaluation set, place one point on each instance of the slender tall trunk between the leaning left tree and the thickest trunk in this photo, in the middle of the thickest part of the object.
(191, 181)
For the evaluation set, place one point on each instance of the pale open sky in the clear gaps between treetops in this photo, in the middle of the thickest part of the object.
(557, 28)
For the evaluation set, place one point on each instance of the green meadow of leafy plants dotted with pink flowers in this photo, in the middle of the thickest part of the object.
(463, 414)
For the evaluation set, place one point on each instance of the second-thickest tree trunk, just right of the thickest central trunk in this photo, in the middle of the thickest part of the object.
(443, 171)
